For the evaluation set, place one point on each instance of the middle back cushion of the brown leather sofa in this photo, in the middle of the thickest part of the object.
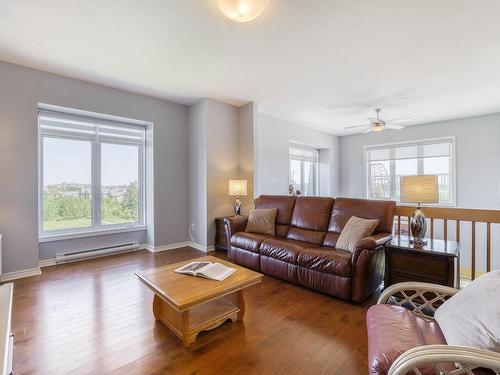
(310, 219)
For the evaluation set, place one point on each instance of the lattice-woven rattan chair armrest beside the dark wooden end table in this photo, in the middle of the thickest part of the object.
(421, 298)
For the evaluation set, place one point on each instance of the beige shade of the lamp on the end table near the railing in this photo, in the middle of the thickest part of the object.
(419, 189)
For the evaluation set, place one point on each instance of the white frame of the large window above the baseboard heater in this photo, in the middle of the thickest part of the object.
(96, 228)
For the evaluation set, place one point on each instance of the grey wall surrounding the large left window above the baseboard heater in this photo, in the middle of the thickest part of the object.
(21, 90)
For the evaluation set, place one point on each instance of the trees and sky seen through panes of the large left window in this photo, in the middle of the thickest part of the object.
(68, 196)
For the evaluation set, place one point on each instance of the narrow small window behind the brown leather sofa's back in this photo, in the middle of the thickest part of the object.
(304, 169)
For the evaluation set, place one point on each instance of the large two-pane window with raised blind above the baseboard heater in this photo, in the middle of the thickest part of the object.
(91, 174)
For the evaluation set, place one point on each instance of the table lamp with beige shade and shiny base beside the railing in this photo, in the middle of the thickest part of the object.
(419, 189)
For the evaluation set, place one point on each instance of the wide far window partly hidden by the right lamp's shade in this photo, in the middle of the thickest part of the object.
(386, 164)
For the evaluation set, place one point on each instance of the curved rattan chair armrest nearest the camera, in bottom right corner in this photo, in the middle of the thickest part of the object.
(465, 359)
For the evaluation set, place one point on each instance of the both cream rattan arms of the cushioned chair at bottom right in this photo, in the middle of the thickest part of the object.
(423, 299)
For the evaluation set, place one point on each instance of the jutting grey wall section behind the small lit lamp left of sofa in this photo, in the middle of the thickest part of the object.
(221, 148)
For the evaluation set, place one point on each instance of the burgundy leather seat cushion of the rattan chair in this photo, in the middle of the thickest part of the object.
(392, 330)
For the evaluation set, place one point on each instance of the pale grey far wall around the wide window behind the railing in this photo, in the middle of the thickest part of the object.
(477, 173)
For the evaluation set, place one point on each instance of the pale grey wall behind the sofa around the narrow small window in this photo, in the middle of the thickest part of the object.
(272, 148)
